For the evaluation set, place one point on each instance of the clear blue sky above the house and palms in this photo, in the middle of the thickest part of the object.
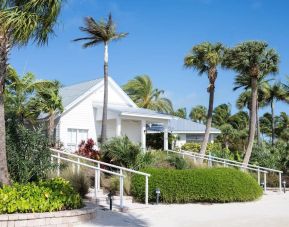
(161, 33)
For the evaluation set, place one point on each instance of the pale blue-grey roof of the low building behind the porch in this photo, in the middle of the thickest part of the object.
(180, 125)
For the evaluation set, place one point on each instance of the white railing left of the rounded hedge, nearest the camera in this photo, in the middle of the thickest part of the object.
(98, 168)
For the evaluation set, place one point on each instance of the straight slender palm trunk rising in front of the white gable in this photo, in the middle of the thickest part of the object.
(105, 95)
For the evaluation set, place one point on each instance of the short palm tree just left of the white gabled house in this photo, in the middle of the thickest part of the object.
(49, 101)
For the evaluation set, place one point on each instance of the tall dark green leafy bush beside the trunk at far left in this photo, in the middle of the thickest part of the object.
(28, 154)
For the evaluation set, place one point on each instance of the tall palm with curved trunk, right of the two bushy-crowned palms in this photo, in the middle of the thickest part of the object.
(255, 59)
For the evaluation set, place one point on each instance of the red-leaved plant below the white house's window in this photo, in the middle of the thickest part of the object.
(86, 149)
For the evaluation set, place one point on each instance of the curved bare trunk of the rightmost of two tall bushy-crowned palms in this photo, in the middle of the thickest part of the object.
(252, 126)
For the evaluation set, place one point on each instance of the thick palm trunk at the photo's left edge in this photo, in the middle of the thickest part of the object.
(4, 51)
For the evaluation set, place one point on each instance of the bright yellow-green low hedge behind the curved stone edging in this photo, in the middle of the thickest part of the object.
(45, 196)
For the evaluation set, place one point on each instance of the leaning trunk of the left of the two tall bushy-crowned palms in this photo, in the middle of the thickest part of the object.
(209, 119)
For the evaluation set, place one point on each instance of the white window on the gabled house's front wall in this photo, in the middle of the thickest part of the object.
(74, 137)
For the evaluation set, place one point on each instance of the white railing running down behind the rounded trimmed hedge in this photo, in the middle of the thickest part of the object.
(227, 162)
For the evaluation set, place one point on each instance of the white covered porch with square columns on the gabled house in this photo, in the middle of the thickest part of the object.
(132, 122)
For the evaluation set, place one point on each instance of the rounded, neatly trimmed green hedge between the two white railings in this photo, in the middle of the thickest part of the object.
(197, 185)
